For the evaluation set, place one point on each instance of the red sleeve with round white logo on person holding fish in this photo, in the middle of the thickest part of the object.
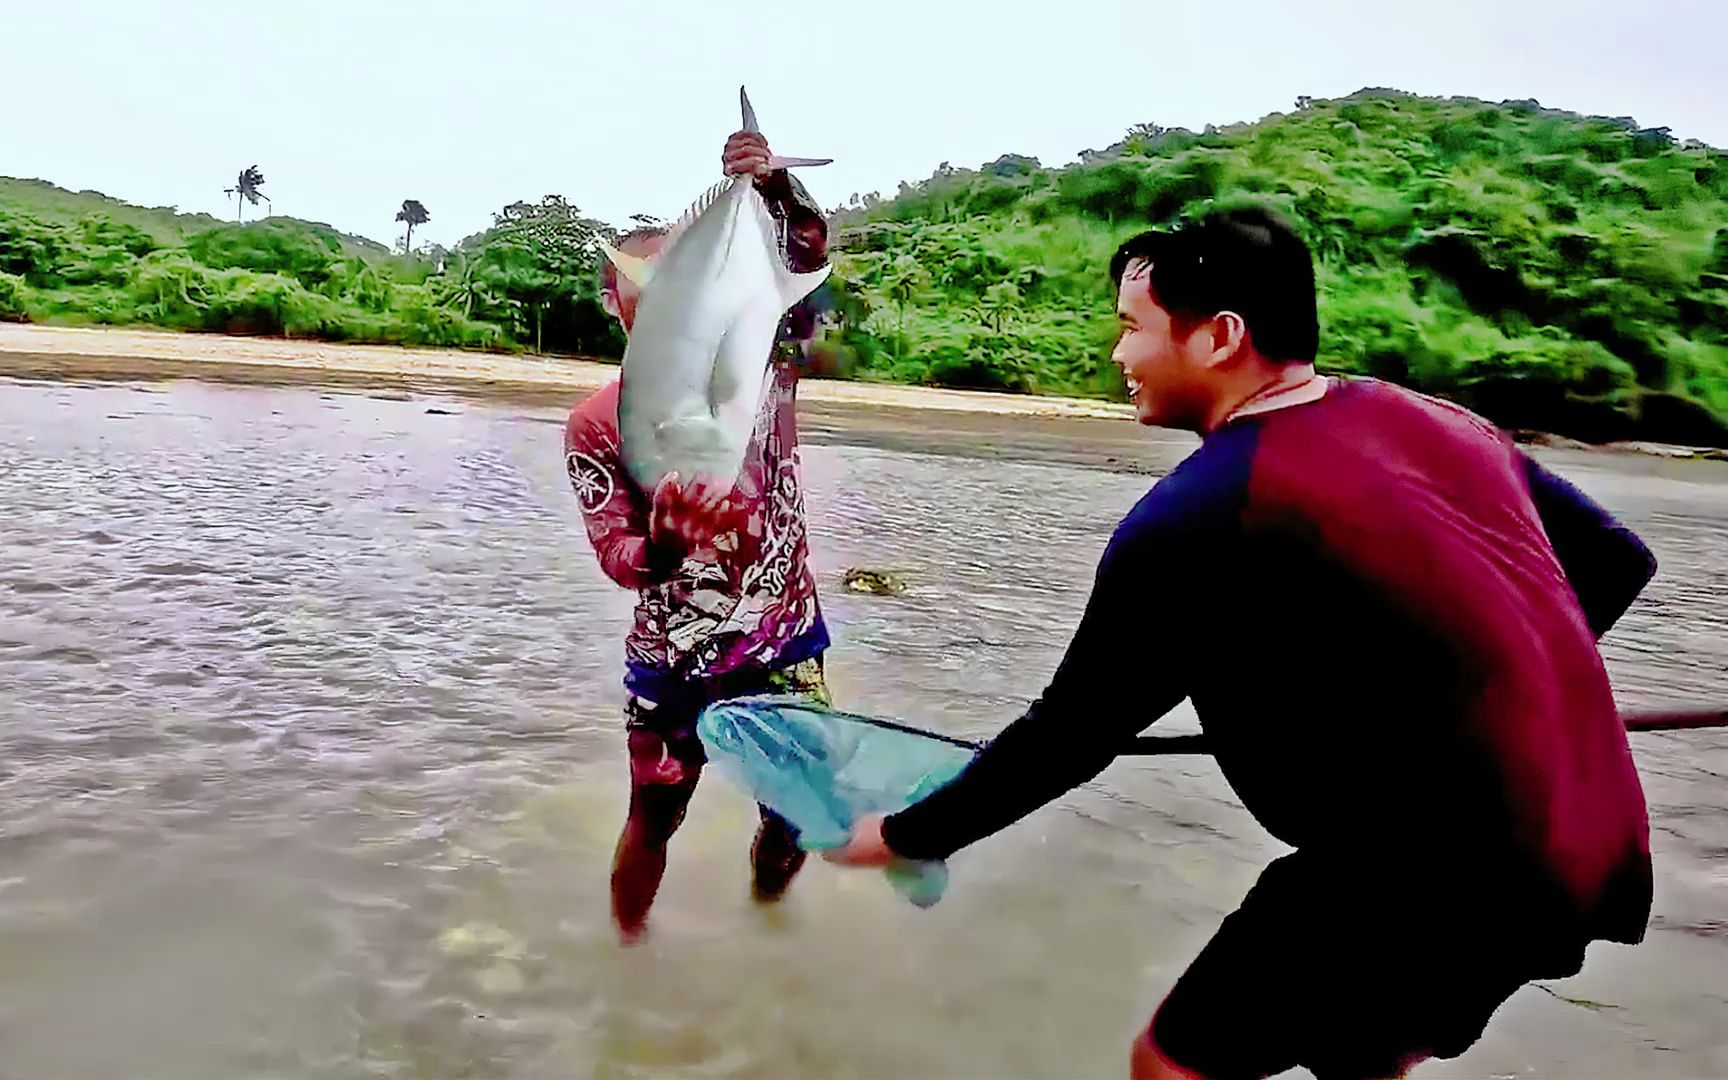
(613, 509)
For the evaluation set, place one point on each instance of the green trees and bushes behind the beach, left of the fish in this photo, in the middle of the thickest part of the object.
(524, 283)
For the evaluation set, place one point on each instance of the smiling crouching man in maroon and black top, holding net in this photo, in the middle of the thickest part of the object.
(1387, 618)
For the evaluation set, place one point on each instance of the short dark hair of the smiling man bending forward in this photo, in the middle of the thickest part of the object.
(1245, 260)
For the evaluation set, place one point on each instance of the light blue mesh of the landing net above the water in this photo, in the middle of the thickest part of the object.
(822, 770)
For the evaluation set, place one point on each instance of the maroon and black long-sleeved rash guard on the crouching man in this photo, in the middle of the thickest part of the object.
(1387, 618)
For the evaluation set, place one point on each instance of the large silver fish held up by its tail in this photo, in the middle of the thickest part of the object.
(697, 362)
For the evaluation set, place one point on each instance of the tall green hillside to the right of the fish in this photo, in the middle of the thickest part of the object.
(1556, 272)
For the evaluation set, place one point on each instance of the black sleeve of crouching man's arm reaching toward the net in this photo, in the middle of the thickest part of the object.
(1122, 671)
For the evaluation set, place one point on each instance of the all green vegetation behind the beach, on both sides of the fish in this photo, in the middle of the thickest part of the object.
(1556, 272)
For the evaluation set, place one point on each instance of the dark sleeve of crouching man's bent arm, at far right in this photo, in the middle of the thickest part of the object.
(1604, 561)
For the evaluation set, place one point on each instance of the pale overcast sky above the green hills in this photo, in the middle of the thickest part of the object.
(353, 106)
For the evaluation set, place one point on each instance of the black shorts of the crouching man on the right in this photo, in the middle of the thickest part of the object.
(1352, 974)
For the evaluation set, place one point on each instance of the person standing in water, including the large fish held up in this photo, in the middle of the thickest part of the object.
(687, 473)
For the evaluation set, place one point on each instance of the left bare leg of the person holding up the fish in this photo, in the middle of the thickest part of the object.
(661, 789)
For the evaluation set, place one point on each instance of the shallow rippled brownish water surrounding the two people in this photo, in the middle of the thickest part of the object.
(310, 765)
